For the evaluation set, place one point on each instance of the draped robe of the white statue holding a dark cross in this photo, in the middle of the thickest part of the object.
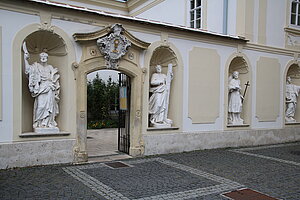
(235, 100)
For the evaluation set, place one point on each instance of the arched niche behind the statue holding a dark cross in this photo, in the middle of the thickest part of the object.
(240, 64)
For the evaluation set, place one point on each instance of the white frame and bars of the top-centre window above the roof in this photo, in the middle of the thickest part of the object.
(194, 20)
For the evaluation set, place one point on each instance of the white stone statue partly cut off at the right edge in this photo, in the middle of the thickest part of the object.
(291, 94)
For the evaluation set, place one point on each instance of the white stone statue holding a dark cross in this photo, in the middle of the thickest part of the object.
(235, 100)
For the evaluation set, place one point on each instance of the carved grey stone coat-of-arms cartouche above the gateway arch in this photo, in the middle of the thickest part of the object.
(113, 46)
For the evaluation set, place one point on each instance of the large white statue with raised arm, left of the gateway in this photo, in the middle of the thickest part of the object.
(44, 88)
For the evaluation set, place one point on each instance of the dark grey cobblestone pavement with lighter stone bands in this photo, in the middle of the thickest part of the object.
(271, 170)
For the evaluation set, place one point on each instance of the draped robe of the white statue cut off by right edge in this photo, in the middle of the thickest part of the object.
(292, 92)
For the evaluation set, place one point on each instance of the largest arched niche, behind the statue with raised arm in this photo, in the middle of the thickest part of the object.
(55, 46)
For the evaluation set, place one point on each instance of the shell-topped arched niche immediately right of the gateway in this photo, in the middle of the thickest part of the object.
(164, 55)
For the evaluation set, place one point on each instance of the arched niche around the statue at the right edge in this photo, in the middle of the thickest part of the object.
(293, 71)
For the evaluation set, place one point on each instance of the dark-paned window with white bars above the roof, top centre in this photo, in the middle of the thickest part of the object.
(195, 13)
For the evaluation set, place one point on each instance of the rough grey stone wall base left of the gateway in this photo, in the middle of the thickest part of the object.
(30, 153)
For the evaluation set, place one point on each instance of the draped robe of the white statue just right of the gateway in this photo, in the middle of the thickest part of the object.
(158, 100)
